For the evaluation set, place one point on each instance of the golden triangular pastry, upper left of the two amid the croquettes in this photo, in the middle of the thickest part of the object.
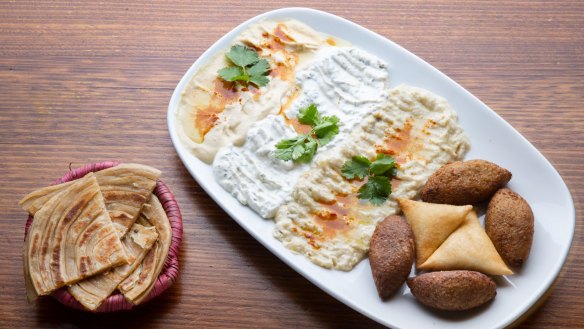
(432, 224)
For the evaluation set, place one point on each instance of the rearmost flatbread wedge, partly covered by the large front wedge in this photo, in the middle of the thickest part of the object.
(125, 189)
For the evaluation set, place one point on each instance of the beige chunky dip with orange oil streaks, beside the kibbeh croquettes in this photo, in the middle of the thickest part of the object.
(325, 220)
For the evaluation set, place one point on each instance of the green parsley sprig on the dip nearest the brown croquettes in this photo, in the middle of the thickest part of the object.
(378, 173)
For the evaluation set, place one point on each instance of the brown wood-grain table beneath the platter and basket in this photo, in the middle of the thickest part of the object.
(85, 81)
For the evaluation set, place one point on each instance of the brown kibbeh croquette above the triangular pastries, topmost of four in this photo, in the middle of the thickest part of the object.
(468, 182)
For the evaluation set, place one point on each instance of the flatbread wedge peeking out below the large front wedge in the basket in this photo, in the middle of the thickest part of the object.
(93, 291)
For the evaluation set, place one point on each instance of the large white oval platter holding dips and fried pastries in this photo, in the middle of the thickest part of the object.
(491, 138)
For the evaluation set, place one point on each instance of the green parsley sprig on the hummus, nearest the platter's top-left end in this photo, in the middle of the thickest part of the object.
(249, 68)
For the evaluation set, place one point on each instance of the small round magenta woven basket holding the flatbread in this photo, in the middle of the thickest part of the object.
(169, 273)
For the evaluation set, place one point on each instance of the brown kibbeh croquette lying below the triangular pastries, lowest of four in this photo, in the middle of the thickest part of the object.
(453, 290)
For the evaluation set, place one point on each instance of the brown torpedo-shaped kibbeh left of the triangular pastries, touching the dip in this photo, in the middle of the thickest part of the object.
(391, 254)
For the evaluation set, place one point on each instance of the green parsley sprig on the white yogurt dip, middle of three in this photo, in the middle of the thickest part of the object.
(303, 147)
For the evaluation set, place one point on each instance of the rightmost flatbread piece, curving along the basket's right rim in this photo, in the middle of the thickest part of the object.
(137, 286)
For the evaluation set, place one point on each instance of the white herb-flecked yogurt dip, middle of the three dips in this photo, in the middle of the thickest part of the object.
(346, 82)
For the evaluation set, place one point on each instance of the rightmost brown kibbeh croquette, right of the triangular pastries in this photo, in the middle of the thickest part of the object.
(509, 223)
